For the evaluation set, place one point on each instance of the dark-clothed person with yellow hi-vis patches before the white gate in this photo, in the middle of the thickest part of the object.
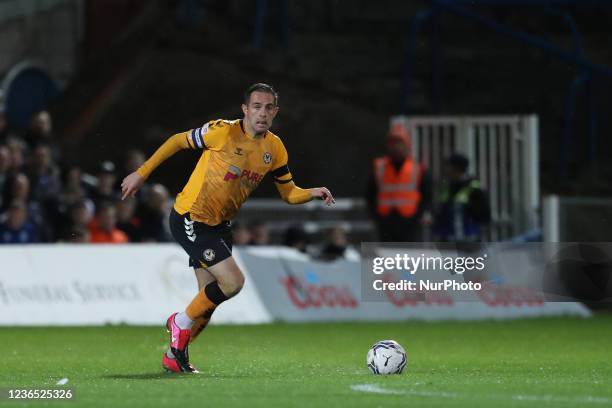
(463, 210)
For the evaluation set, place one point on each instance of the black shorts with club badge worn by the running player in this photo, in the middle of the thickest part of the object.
(206, 245)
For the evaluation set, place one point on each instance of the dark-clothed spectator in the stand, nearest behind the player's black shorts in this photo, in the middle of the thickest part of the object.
(153, 213)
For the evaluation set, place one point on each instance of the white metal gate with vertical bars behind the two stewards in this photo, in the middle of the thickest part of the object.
(504, 157)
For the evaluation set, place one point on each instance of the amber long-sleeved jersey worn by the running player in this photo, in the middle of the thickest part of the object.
(231, 166)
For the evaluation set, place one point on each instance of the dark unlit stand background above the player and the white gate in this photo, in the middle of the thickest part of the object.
(145, 70)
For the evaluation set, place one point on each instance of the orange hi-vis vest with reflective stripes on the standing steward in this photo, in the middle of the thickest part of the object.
(398, 191)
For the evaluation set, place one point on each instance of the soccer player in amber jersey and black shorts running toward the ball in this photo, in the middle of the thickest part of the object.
(236, 156)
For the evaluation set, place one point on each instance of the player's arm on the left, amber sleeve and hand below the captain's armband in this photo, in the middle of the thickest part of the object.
(132, 182)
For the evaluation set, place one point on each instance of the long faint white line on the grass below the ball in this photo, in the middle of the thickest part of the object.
(377, 389)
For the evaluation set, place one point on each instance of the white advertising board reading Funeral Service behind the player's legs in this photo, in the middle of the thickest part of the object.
(100, 284)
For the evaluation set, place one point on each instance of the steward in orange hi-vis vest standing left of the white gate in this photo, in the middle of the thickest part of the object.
(399, 191)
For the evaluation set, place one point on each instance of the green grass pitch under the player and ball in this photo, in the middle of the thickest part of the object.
(552, 362)
